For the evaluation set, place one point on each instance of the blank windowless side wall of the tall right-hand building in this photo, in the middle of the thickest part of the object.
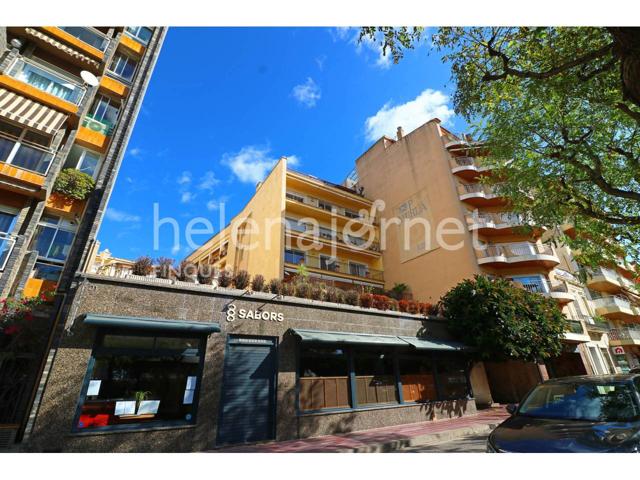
(417, 169)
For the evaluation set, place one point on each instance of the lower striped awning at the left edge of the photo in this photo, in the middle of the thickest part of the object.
(29, 113)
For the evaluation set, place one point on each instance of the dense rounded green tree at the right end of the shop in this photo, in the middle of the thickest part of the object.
(503, 321)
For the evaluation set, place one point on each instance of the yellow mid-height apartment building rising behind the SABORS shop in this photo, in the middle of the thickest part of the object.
(295, 219)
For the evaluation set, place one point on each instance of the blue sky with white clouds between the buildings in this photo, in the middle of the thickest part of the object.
(225, 103)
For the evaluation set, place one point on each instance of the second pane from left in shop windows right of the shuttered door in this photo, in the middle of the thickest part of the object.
(375, 378)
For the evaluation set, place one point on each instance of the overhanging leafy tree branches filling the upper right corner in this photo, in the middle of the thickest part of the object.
(559, 109)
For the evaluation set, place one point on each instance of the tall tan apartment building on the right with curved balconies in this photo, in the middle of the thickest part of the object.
(433, 175)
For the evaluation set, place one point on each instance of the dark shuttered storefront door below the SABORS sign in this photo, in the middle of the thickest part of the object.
(247, 408)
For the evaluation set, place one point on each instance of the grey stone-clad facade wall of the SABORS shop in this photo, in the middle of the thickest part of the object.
(104, 295)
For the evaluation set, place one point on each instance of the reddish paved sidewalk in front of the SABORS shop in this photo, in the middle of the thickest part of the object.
(386, 439)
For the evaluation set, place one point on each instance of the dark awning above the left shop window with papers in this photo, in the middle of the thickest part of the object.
(183, 326)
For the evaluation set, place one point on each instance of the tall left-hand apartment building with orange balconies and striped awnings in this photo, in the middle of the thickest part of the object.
(69, 97)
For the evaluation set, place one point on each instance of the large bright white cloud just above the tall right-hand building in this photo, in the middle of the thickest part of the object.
(409, 115)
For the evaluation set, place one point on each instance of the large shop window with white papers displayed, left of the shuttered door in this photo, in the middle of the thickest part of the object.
(141, 379)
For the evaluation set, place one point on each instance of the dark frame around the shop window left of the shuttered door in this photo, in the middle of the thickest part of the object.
(97, 348)
